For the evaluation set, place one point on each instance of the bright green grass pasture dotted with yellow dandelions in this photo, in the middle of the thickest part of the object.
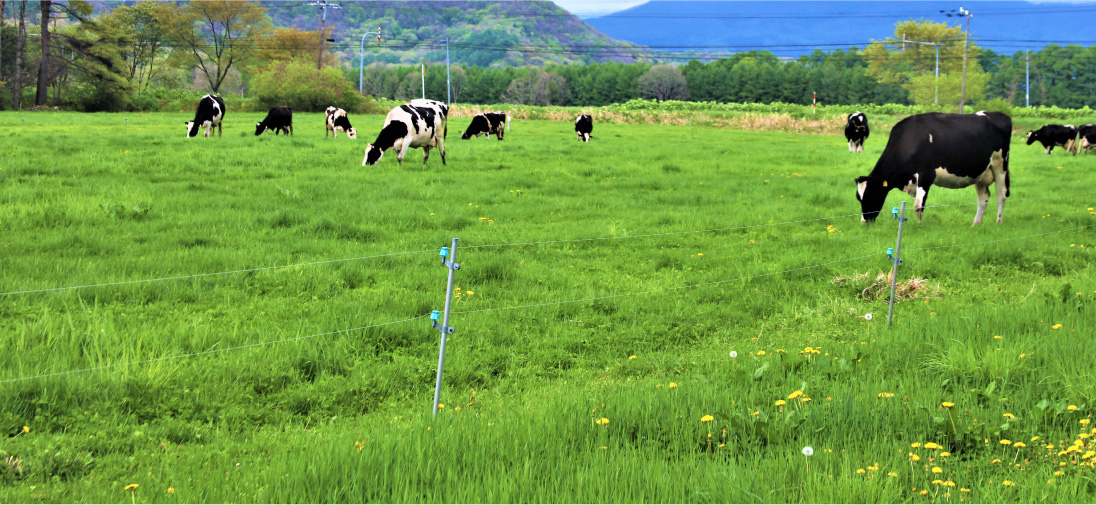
(581, 371)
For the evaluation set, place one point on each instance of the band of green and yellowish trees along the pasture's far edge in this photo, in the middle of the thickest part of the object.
(145, 55)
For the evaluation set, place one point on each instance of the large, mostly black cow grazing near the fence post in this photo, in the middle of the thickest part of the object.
(949, 151)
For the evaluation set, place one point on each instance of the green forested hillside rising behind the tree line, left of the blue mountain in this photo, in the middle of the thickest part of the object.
(488, 35)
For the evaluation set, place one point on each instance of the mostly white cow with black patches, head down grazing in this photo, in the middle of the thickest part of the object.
(419, 123)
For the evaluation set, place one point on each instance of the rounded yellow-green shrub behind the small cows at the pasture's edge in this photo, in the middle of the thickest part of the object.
(299, 85)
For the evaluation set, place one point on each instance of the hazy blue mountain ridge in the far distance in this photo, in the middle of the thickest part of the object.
(798, 28)
